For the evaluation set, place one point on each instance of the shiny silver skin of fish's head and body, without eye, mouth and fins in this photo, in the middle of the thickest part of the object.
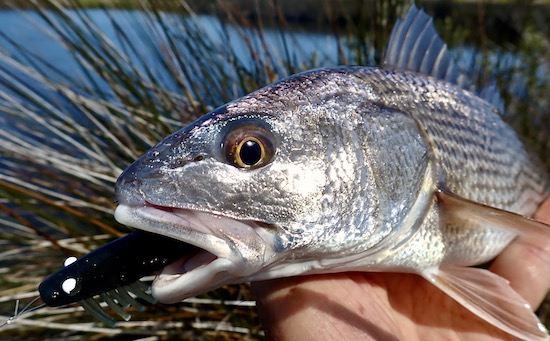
(355, 145)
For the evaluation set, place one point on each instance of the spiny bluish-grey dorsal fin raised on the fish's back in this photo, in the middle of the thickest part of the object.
(414, 45)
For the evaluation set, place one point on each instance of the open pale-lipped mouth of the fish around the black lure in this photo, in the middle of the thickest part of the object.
(227, 250)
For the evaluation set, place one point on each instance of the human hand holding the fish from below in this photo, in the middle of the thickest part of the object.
(394, 306)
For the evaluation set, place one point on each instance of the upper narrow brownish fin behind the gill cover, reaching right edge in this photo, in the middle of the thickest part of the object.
(463, 210)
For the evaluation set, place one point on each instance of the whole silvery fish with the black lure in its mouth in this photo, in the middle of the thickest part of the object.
(404, 167)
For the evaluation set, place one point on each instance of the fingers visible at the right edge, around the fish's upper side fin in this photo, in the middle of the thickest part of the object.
(526, 263)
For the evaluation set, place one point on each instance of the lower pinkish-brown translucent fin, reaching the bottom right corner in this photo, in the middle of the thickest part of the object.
(491, 298)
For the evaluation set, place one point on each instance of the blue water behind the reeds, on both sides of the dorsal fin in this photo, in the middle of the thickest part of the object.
(171, 53)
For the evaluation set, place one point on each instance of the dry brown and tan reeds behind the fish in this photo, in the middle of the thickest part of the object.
(66, 136)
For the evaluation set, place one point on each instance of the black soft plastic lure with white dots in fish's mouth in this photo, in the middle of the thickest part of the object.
(112, 272)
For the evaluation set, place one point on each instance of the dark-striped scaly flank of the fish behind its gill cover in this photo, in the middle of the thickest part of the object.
(452, 139)
